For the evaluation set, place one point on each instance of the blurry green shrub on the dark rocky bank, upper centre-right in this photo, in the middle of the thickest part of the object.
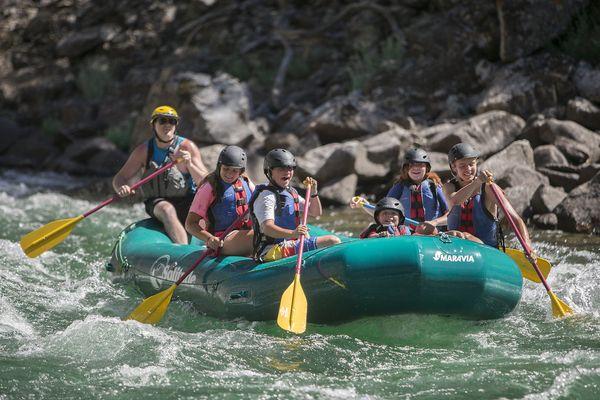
(369, 62)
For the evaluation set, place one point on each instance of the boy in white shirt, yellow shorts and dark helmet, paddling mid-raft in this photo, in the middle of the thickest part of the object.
(276, 207)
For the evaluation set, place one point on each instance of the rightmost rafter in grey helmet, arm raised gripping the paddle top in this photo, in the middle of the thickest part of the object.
(473, 206)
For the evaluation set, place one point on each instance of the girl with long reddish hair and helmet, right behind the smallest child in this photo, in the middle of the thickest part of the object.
(420, 192)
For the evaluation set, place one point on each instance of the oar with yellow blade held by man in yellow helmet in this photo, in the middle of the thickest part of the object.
(51, 234)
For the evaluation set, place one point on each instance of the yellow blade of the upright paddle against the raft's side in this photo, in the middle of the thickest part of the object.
(293, 308)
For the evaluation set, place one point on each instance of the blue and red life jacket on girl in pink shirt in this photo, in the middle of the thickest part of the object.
(233, 203)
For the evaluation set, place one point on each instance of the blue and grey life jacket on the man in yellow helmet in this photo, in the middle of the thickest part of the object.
(169, 183)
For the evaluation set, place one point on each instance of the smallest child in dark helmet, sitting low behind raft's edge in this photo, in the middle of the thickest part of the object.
(389, 220)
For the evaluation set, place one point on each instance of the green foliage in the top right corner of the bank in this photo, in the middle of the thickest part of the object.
(582, 40)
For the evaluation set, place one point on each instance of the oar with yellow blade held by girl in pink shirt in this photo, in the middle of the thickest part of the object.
(154, 307)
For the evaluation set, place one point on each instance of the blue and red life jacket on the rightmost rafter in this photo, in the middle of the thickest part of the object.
(473, 217)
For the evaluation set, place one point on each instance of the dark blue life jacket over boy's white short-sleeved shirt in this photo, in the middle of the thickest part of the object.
(287, 214)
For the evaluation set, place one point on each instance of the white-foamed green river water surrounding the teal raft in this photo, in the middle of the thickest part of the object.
(61, 333)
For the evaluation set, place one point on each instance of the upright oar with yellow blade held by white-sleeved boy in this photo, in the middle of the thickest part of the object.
(293, 305)
